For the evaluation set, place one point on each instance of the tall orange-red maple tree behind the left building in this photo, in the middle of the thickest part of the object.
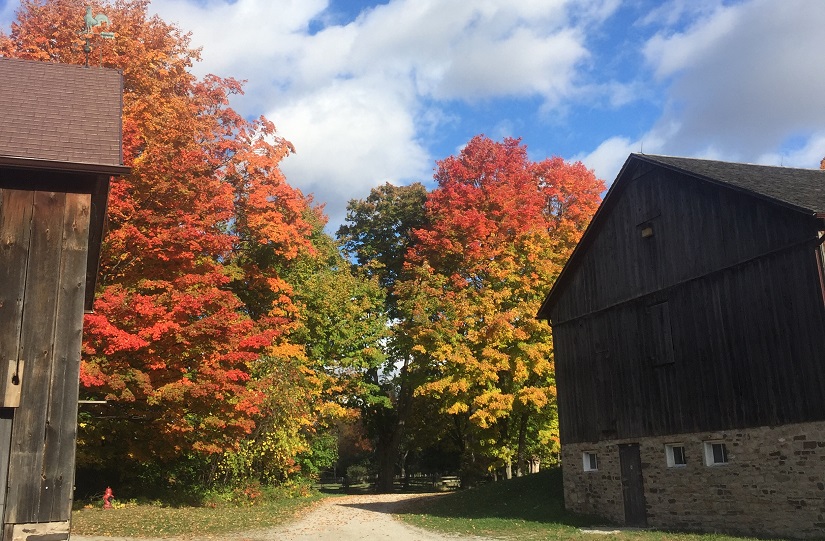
(190, 296)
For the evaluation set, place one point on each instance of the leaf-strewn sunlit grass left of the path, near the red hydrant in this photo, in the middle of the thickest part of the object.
(219, 517)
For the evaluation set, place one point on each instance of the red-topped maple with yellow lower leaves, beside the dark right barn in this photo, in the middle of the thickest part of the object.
(500, 227)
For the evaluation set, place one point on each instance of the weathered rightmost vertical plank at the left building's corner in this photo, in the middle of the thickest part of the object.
(61, 424)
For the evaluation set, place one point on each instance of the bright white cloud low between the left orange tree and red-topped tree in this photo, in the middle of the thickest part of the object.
(348, 140)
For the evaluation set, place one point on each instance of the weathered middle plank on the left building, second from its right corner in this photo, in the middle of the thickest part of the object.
(37, 338)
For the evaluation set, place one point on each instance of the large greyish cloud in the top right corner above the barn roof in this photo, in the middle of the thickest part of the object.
(743, 78)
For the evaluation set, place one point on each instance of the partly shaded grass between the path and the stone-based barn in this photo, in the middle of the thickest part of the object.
(528, 509)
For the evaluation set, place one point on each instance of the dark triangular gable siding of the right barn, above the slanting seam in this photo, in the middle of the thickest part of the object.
(692, 217)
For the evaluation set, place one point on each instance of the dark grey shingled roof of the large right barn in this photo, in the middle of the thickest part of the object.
(803, 189)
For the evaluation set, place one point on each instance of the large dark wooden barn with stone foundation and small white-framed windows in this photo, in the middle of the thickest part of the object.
(689, 333)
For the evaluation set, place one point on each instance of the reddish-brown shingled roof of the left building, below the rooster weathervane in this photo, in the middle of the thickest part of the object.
(60, 116)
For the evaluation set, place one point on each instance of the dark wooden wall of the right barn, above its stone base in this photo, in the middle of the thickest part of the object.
(714, 322)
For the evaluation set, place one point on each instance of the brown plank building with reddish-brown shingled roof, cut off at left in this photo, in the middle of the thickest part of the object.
(60, 142)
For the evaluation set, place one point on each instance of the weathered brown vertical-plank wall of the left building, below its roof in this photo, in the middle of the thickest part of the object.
(43, 252)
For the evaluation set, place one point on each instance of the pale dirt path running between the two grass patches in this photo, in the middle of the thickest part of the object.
(347, 518)
